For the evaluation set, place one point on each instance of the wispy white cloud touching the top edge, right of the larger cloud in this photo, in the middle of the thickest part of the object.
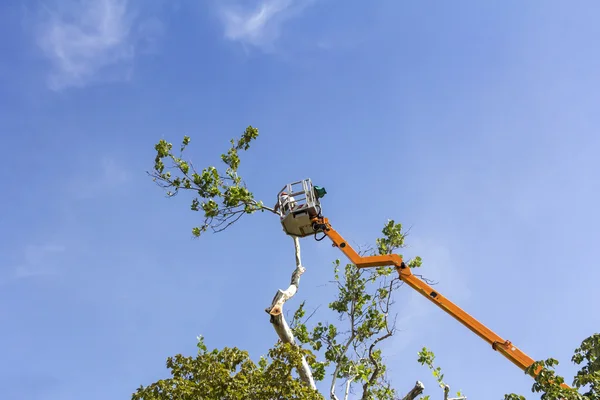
(261, 25)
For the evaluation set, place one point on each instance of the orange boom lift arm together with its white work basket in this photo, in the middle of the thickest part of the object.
(299, 208)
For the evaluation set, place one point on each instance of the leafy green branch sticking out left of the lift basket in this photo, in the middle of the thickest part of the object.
(221, 196)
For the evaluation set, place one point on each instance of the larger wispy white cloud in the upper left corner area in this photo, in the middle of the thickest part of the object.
(90, 40)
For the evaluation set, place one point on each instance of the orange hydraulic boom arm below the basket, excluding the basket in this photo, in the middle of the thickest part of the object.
(515, 355)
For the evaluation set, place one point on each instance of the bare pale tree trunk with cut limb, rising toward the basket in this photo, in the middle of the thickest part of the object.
(278, 320)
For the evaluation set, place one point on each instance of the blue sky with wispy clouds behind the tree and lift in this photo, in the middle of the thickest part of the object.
(475, 123)
